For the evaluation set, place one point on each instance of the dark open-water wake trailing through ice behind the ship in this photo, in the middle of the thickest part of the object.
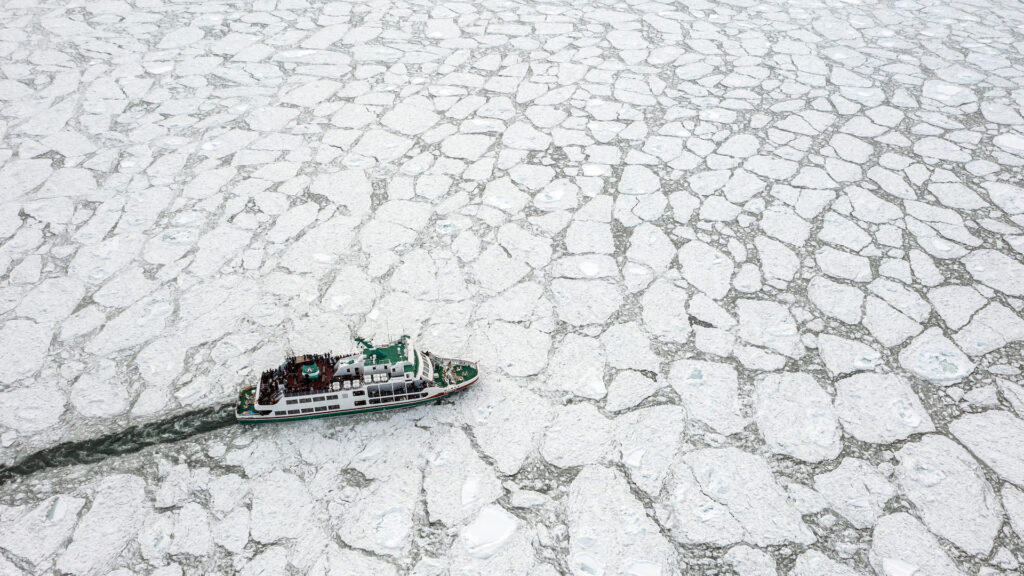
(122, 442)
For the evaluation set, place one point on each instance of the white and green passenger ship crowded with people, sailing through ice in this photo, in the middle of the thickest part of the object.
(317, 386)
